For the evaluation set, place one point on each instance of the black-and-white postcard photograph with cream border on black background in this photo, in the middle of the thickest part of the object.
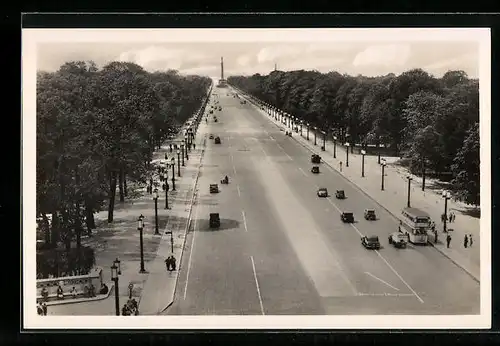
(256, 178)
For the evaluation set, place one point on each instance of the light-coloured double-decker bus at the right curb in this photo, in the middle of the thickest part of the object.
(415, 223)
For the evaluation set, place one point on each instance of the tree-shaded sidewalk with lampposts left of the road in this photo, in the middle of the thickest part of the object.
(120, 239)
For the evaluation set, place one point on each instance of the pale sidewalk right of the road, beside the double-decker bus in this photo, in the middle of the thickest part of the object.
(394, 197)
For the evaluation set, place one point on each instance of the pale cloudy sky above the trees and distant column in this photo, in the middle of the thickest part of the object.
(369, 57)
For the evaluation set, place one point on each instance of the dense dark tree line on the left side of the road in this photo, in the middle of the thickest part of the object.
(96, 130)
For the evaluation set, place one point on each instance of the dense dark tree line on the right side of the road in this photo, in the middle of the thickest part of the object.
(432, 121)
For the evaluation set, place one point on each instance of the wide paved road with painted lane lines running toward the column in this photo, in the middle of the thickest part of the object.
(282, 250)
